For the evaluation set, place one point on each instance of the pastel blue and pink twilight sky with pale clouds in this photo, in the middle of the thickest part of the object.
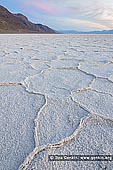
(82, 15)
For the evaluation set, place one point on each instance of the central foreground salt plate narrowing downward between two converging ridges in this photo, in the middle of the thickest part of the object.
(60, 117)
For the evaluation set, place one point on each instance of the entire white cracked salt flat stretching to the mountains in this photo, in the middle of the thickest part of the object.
(56, 97)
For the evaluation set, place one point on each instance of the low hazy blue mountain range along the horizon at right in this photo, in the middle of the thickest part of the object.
(89, 32)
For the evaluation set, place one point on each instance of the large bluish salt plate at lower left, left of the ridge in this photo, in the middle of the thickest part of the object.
(17, 113)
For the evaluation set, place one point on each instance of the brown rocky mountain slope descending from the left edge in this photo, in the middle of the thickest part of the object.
(18, 23)
